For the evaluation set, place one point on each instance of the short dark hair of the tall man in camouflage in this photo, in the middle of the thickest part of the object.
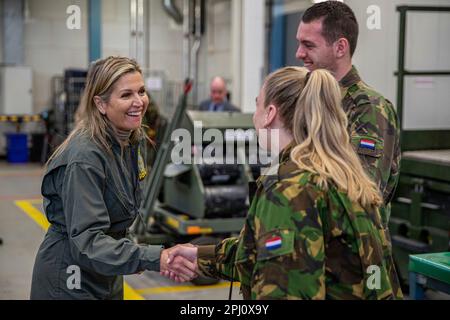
(338, 21)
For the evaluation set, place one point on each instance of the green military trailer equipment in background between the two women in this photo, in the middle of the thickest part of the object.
(205, 197)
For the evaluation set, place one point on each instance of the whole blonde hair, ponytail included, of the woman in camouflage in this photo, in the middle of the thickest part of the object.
(310, 105)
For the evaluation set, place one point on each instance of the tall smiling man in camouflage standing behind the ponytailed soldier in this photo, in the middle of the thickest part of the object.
(328, 36)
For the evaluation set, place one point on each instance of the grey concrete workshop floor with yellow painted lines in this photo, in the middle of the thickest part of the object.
(22, 236)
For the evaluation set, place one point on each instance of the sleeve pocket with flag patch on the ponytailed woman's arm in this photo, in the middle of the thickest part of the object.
(275, 244)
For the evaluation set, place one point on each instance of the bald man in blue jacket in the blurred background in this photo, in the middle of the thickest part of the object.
(218, 101)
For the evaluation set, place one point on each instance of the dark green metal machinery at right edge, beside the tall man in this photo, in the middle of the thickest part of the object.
(420, 221)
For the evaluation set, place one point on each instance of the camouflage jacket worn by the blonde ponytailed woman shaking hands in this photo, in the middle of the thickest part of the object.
(300, 242)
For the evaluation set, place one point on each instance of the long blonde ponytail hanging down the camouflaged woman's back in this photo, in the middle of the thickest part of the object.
(324, 148)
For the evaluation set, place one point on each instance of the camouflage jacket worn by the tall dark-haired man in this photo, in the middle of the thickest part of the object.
(375, 132)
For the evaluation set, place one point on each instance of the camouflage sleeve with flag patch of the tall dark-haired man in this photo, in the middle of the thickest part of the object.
(375, 134)
